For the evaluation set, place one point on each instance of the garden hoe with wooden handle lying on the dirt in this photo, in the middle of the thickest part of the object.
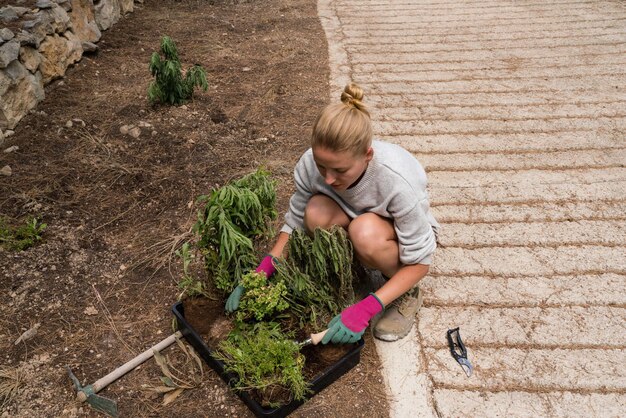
(108, 406)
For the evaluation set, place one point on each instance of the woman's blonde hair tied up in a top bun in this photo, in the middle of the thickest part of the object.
(344, 126)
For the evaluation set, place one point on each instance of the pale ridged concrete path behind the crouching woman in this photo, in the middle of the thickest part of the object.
(518, 111)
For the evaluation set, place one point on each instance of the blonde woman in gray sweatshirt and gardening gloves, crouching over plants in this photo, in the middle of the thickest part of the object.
(377, 192)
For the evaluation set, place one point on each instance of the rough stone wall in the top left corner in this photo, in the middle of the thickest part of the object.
(38, 44)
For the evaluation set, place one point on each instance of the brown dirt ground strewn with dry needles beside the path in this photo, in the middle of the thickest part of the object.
(101, 284)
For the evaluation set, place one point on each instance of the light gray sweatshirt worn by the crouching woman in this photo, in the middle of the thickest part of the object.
(393, 186)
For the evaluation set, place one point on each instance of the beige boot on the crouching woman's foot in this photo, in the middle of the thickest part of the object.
(399, 316)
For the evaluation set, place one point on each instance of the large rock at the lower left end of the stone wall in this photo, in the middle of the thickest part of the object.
(20, 91)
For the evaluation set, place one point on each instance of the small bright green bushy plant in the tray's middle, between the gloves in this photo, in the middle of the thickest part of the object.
(261, 298)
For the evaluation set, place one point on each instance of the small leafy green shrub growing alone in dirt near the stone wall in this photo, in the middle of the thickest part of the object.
(170, 86)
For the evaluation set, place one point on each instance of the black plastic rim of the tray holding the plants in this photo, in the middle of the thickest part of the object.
(334, 372)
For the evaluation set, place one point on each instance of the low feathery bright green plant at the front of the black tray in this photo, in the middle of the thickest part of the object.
(266, 361)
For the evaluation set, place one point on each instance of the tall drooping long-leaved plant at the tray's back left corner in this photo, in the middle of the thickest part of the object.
(232, 217)
